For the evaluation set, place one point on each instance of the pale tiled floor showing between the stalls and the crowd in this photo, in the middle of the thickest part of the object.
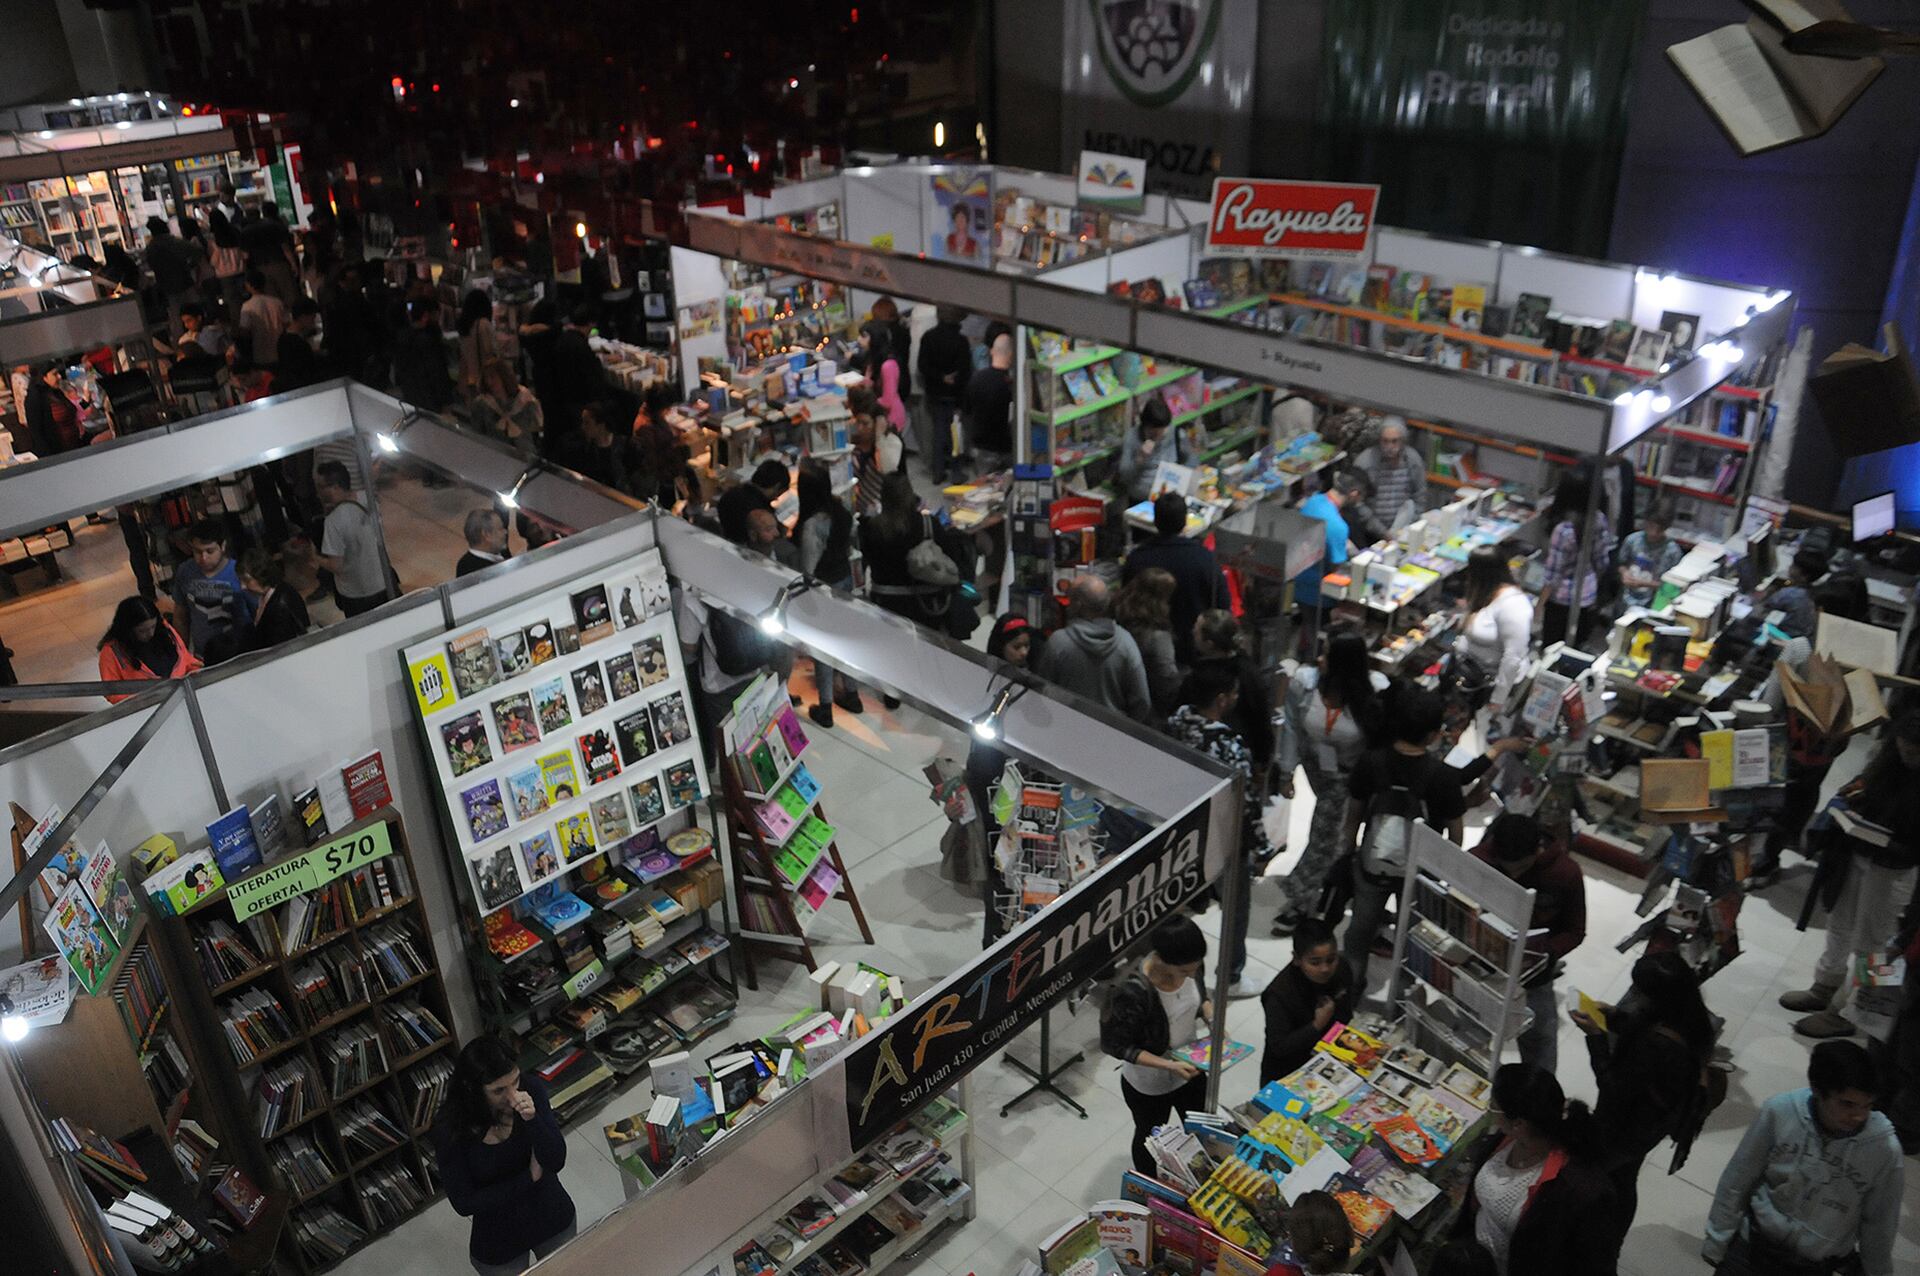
(1042, 1164)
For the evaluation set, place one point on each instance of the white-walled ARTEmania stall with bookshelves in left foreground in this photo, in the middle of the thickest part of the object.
(260, 916)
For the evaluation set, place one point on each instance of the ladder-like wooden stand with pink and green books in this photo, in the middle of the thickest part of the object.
(784, 853)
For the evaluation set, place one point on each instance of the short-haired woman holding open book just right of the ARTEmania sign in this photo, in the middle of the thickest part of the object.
(1149, 1016)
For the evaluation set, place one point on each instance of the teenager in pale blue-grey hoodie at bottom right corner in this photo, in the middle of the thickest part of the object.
(1815, 1181)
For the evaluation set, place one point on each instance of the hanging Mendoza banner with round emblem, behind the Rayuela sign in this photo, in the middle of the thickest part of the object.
(1164, 82)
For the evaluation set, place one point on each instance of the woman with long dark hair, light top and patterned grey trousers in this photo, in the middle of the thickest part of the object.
(1333, 717)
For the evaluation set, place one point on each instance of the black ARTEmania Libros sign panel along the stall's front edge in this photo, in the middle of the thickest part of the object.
(928, 1047)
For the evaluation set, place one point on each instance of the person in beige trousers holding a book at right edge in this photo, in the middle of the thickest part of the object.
(1865, 874)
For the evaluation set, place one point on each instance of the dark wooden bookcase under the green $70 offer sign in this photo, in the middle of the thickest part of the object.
(331, 1041)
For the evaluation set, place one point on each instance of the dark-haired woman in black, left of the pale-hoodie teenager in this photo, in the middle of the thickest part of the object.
(1650, 1060)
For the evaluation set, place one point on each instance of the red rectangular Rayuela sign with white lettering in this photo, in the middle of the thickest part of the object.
(1255, 218)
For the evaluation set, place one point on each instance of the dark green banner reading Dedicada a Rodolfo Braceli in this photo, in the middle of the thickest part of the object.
(1495, 120)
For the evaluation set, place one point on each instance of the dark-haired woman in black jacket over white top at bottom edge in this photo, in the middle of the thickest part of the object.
(1541, 1202)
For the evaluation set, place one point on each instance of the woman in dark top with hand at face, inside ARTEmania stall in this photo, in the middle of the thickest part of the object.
(500, 1156)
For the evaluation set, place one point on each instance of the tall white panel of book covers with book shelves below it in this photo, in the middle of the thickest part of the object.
(562, 736)
